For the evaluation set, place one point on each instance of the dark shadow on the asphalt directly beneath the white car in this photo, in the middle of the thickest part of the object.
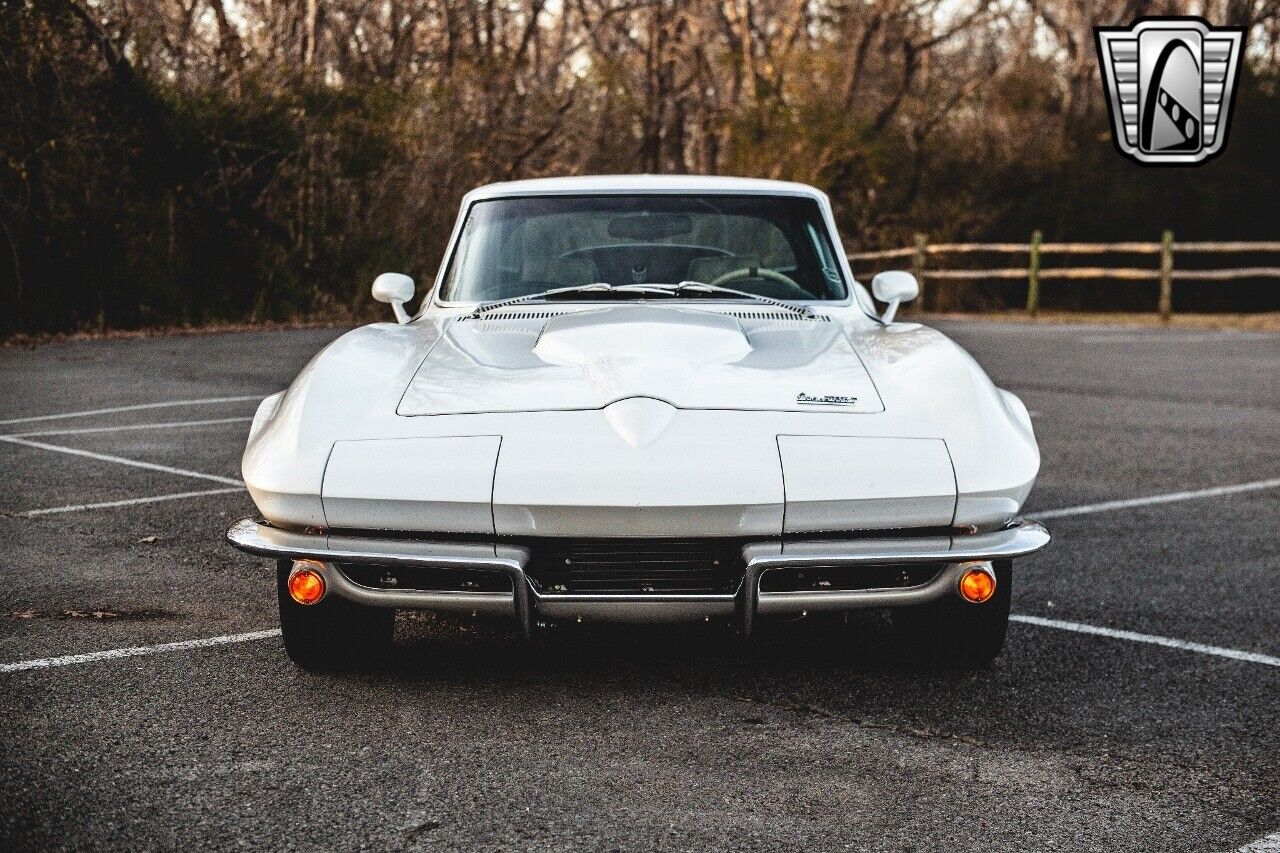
(803, 658)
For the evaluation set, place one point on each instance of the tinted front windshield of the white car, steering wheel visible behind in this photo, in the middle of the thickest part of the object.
(774, 247)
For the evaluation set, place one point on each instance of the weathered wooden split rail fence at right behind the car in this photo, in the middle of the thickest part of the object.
(1037, 250)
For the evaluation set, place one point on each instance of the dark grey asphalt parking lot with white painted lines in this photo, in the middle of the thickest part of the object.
(1135, 709)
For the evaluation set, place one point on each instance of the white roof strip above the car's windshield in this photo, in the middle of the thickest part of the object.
(641, 185)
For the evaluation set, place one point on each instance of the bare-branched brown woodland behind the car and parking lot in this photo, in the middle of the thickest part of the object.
(185, 162)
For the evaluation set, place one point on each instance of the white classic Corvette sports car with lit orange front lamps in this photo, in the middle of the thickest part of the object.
(643, 399)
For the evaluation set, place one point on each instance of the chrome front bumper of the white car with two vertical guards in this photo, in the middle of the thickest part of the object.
(528, 605)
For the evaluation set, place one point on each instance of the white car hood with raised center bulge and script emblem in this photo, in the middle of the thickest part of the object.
(554, 359)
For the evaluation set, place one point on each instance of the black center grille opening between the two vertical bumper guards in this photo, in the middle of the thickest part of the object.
(636, 567)
